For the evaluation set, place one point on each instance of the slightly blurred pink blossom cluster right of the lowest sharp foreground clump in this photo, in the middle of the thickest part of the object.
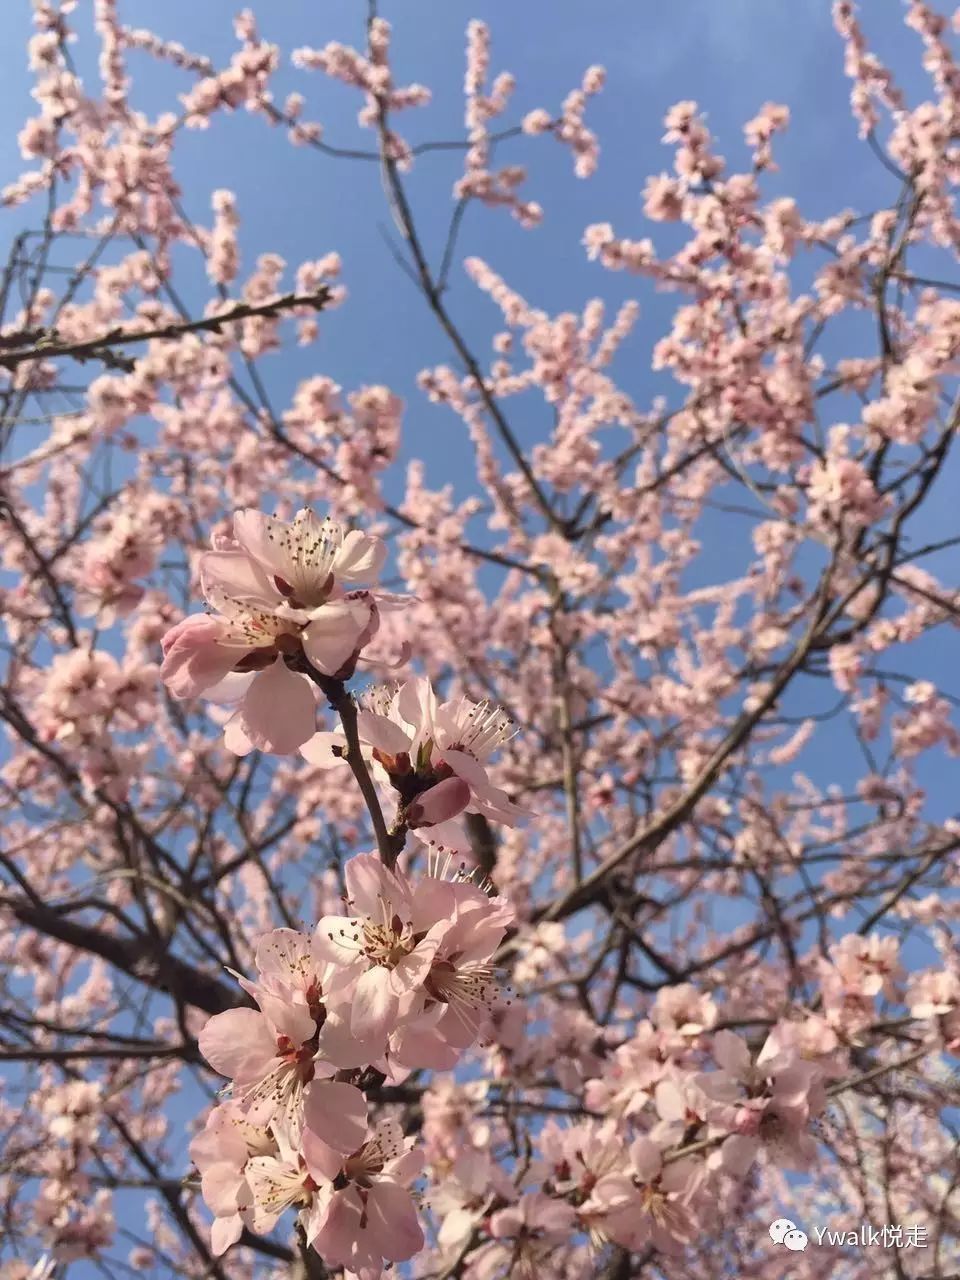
(678, 1114)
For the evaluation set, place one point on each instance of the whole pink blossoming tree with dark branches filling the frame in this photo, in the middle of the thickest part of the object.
(392, 883)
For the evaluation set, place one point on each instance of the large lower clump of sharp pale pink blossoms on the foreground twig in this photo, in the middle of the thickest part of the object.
(401, 982)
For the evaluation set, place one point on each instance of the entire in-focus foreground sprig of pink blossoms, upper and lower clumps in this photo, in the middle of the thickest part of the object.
(404, 981)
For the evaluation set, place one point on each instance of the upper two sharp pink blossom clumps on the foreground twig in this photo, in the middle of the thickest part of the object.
(295, 606)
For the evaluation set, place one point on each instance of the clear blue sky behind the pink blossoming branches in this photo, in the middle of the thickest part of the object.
(730, 56)
